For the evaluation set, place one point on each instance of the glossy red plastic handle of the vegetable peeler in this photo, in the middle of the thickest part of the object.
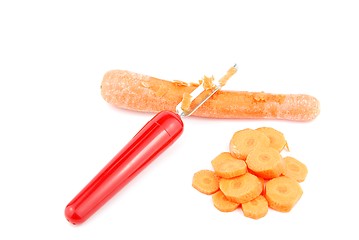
(156, 136)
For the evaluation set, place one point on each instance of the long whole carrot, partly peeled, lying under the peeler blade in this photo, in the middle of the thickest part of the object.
(129, 90)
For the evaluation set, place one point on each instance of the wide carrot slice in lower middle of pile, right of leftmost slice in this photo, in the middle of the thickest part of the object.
(241, 189)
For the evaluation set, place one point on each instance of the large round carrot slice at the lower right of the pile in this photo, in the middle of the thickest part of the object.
(282, 193)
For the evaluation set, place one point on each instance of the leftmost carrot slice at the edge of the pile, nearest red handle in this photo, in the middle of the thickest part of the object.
(205, 181)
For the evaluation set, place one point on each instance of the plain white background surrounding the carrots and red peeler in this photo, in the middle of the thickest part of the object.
(56, 131)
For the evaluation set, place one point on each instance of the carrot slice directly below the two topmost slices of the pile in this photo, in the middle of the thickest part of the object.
(265, 162)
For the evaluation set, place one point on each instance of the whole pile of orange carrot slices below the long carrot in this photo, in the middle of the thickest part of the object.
(253, 176)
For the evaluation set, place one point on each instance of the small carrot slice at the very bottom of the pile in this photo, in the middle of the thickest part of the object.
(256, 208)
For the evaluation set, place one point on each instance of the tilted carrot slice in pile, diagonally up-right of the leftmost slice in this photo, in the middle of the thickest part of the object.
(225, 165)
